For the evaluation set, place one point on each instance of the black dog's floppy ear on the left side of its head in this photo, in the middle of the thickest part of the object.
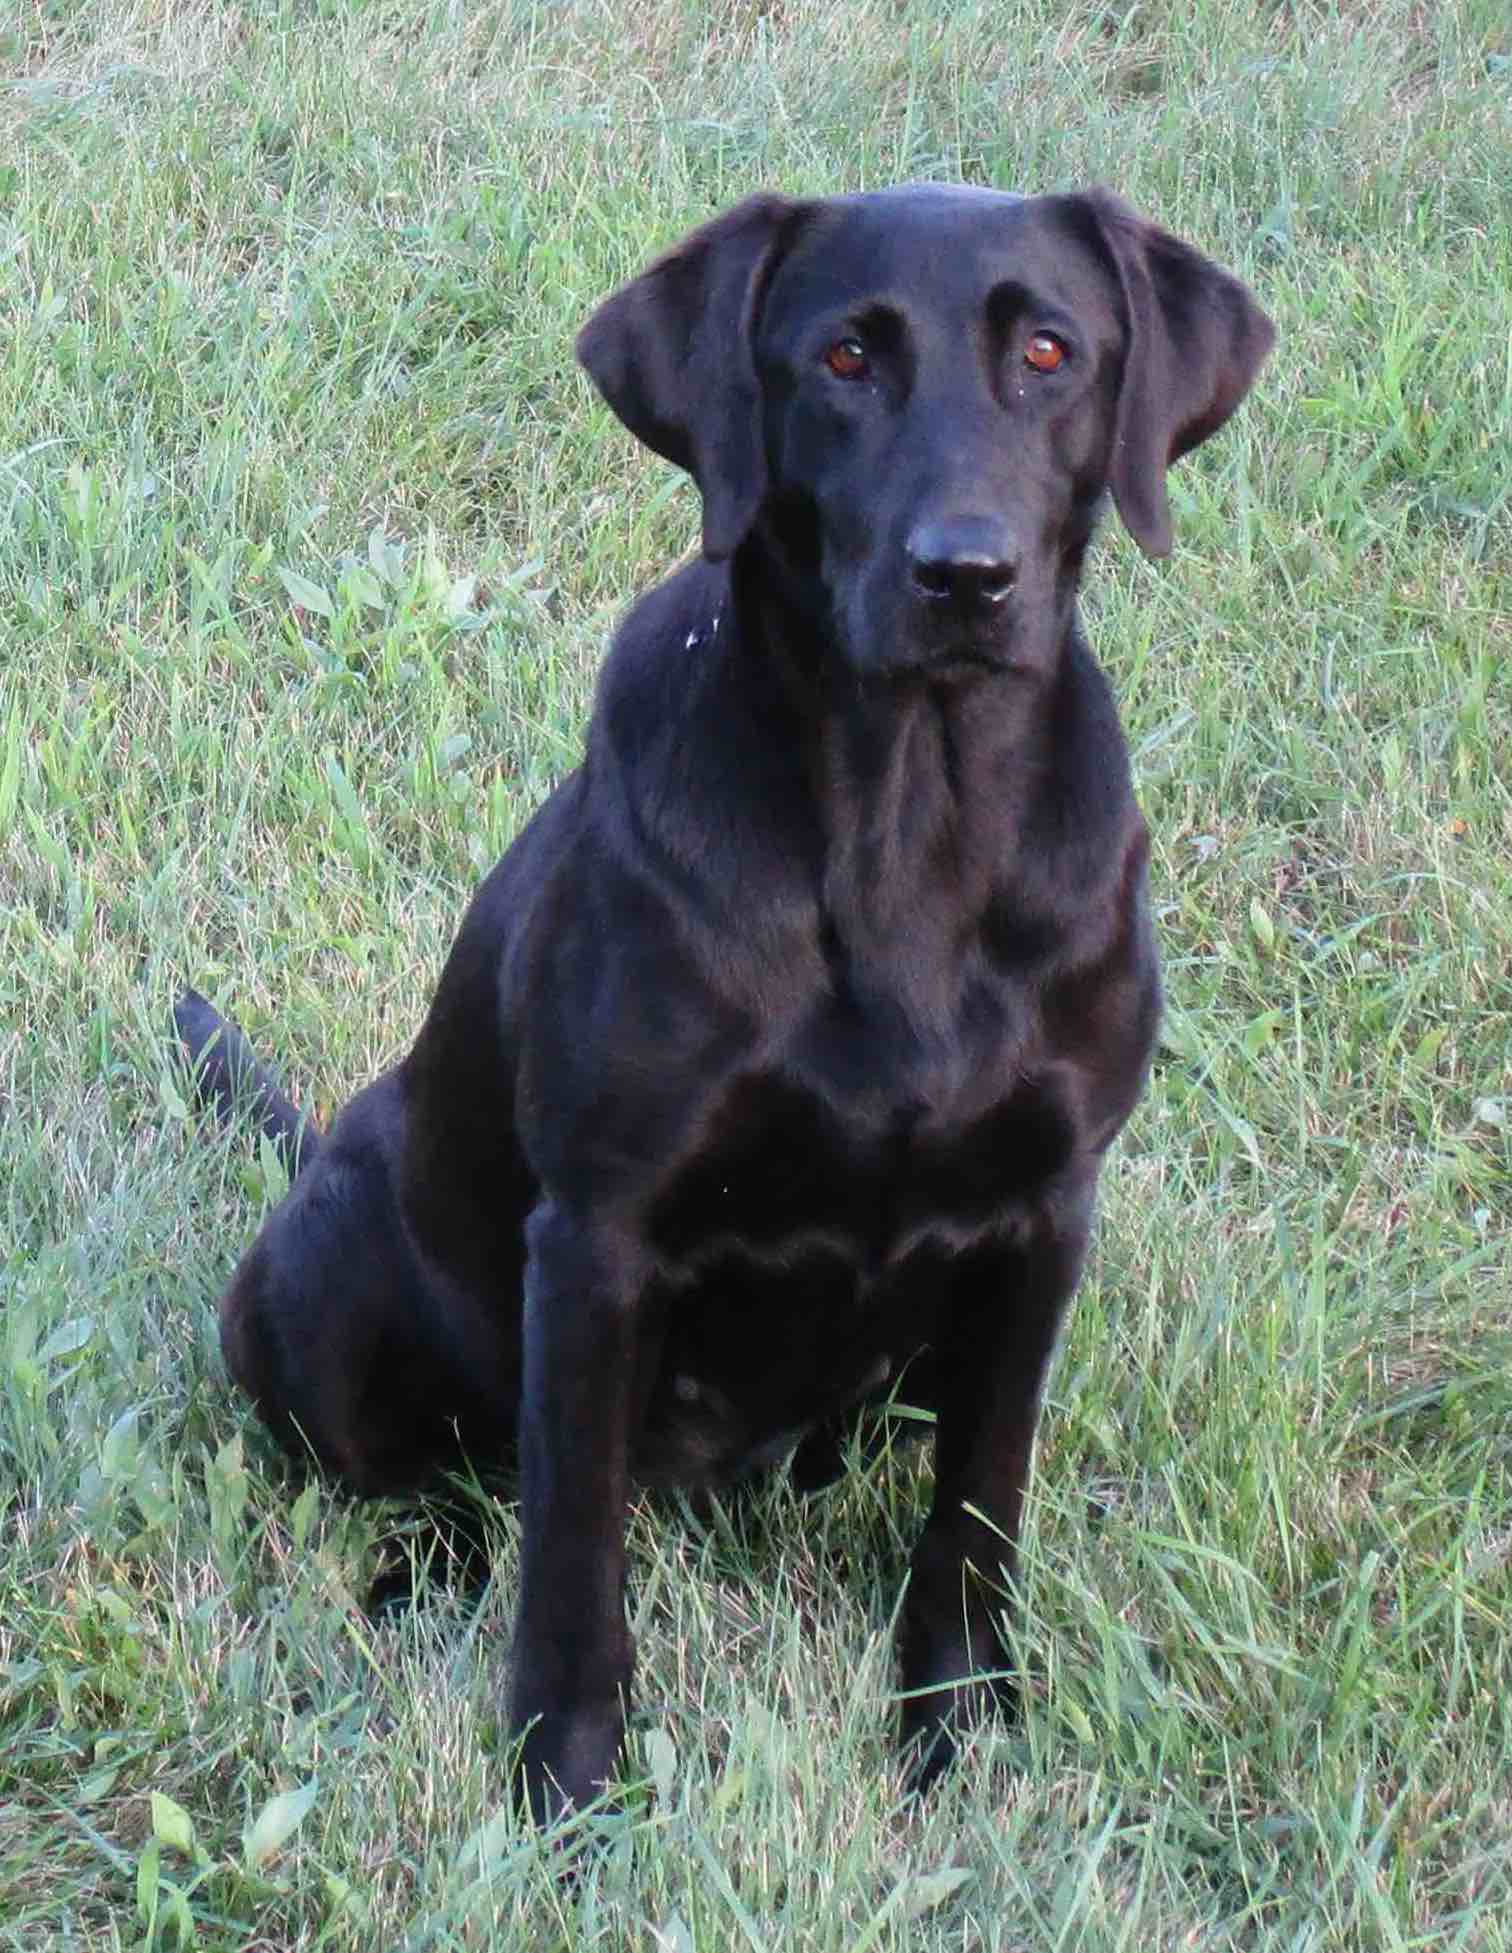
(673, 356)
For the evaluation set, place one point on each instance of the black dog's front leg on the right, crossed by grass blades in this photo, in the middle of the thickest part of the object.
(991, 1356)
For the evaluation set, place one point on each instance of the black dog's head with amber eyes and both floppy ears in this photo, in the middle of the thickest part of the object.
(917, 399)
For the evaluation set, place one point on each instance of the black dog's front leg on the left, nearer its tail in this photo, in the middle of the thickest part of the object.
(573, 1649)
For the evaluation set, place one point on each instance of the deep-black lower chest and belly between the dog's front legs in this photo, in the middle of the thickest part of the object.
(808, 1247)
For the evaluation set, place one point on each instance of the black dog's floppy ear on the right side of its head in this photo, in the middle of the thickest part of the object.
(1197, 341)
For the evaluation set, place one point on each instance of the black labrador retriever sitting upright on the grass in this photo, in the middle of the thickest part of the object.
(782, 1048)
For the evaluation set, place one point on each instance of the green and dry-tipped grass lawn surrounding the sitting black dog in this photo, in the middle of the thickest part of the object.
(310, 544)
